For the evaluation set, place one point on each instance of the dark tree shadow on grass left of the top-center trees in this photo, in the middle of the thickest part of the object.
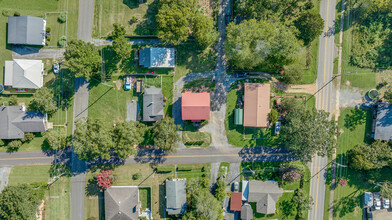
(148, 26)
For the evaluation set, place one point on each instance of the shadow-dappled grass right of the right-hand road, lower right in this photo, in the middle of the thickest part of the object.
(356, 125)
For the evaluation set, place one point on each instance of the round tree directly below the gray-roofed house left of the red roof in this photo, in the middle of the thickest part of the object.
(166, 136)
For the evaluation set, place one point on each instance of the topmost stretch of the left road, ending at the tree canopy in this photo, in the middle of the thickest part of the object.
(85, 20)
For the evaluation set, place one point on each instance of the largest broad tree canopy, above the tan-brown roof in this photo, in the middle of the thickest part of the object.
(254, 43)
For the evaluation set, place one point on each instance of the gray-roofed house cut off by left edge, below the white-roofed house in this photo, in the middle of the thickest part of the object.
(15, 121)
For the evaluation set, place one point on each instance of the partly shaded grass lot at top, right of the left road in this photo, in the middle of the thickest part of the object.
(123, 12)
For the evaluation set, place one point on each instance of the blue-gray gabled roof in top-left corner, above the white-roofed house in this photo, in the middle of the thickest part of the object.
(26, 30)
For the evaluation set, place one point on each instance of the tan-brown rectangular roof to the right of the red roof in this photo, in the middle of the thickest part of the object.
(256, 104)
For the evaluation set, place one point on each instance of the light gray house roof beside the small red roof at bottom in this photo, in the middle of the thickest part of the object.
(265, 194)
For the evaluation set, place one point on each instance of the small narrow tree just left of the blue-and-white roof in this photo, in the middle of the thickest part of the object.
(120, 44)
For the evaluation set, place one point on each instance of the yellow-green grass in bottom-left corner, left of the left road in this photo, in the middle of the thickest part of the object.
(57, 197)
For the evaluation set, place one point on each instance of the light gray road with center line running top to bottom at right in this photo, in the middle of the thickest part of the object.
(325, 100)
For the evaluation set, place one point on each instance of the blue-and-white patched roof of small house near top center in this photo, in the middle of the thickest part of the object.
(157, 57)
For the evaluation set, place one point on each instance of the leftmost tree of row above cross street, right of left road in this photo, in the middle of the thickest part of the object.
(92, 140)
